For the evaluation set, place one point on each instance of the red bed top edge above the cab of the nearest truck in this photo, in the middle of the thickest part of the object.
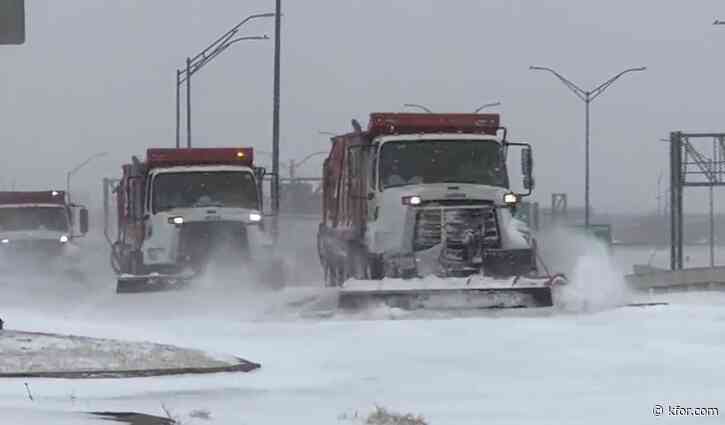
(401, 123)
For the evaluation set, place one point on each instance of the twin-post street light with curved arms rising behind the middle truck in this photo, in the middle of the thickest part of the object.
(197, 62)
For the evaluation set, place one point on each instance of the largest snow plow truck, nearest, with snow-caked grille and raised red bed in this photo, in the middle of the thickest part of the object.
(417, 213)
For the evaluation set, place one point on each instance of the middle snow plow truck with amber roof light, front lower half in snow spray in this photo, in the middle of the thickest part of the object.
(181, 210)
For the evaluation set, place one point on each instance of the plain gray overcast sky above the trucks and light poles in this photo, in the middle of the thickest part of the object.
(99, 76)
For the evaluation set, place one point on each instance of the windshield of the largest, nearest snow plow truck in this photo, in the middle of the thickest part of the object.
(442, 161)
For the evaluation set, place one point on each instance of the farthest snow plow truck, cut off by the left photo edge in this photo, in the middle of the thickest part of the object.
(39, 228)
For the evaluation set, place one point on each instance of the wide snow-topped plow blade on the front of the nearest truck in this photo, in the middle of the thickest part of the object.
(420, 294)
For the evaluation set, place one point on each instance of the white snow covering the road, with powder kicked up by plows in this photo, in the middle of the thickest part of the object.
(587, 361)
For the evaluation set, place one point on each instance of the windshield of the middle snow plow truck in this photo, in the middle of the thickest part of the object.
(235, 189)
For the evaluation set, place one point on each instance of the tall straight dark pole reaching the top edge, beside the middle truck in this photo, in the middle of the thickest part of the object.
(275, 119)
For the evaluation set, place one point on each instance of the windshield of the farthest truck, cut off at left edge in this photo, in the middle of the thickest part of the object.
(33, 218)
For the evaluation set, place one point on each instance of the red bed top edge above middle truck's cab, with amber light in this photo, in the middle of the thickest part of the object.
(166, 157)
